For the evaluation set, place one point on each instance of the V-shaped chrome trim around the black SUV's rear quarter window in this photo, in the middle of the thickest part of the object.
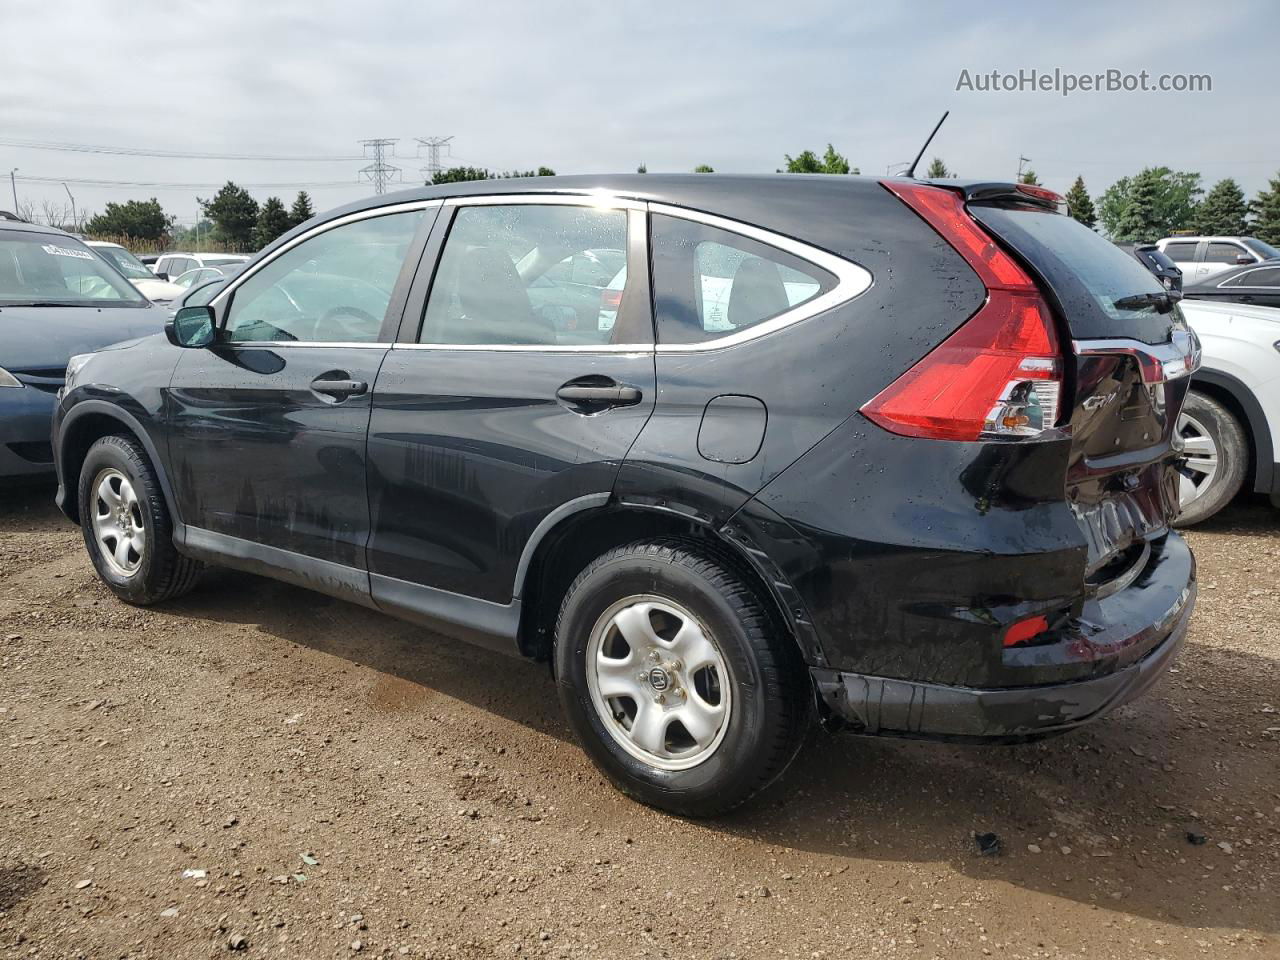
(852, 280)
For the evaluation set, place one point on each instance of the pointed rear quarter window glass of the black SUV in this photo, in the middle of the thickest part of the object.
(711, 284)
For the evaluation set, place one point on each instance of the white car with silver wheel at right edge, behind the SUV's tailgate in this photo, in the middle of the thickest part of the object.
(1231, 424)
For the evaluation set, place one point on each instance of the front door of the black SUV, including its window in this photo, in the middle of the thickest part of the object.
(269, 424)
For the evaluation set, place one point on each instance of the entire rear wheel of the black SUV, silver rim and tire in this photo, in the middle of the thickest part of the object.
(747, 712)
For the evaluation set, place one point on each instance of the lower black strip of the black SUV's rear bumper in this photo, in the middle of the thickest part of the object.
(890, 707)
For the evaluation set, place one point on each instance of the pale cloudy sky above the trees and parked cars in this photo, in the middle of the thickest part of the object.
(604, 86)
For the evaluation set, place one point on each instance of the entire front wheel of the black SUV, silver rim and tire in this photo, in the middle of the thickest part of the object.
(118, 478)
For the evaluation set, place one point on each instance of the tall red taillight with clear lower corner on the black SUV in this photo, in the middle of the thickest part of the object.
(1000, 376)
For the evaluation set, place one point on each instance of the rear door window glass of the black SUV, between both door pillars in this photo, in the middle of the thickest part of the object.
(531, 275)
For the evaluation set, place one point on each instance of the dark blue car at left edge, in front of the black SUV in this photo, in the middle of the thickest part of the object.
(58, 300)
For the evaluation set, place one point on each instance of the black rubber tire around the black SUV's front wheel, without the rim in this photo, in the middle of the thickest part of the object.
(162, 573)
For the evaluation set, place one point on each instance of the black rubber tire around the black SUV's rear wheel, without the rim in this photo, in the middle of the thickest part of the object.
(770, 706)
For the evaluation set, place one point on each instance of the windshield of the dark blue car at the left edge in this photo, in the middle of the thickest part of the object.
(51, 269)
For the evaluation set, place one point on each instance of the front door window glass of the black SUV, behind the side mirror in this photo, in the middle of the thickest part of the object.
(332, 289)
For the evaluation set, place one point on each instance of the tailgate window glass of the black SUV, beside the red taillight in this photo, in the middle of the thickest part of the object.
(1086, 273)
